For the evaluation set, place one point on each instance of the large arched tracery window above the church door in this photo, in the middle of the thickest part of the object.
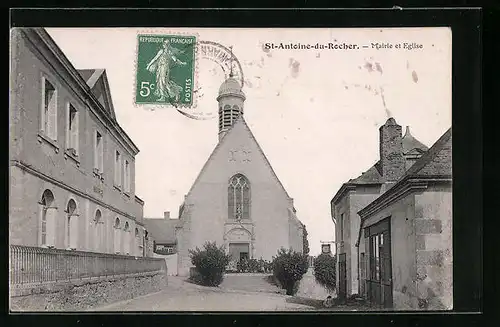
(239, 198)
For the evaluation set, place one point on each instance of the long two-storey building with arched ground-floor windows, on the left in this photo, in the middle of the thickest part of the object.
(72, 167)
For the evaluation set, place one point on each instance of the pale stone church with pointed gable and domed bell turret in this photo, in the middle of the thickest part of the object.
(237, 200)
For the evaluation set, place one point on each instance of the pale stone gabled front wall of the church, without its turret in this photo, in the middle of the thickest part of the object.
(268, 228)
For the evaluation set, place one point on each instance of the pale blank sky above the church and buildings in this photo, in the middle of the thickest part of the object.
(318, 124)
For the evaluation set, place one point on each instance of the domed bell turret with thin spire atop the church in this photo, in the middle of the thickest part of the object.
(231, 99)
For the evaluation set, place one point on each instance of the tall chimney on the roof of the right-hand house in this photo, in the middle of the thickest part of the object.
(392, 160)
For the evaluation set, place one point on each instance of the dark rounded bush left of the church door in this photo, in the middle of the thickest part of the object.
(210, 263)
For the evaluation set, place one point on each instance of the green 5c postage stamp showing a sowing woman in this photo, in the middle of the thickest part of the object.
(165, 70)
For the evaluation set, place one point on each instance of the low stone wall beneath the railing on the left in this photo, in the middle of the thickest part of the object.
(86, 294)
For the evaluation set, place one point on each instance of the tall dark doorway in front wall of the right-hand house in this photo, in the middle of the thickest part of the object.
(379, 279)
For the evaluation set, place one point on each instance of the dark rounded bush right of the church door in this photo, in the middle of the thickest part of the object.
(288, 268)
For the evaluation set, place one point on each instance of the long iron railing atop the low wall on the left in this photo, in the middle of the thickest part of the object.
(41, 265)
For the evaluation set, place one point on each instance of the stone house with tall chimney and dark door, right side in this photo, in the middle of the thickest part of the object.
(375, 213)
